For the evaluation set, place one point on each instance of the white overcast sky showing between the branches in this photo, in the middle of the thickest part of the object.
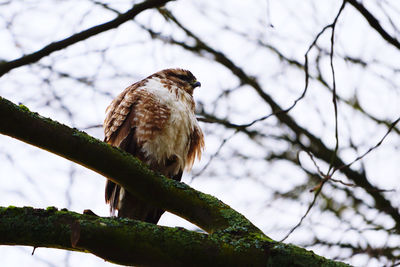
(33, 177)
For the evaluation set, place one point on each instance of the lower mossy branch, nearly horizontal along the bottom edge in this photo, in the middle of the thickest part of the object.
(129, 242)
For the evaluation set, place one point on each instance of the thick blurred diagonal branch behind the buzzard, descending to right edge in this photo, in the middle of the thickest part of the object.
(315, 145)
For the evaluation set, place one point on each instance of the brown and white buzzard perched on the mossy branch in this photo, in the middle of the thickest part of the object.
(154, 120)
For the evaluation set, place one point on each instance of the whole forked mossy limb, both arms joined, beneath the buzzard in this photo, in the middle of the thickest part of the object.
(232, 240)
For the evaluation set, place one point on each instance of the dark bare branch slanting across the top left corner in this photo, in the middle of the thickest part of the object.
(83, 35)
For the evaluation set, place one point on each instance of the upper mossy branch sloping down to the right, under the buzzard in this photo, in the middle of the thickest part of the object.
(122, 168)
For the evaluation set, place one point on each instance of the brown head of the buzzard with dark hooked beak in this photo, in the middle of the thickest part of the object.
(184, 79)
